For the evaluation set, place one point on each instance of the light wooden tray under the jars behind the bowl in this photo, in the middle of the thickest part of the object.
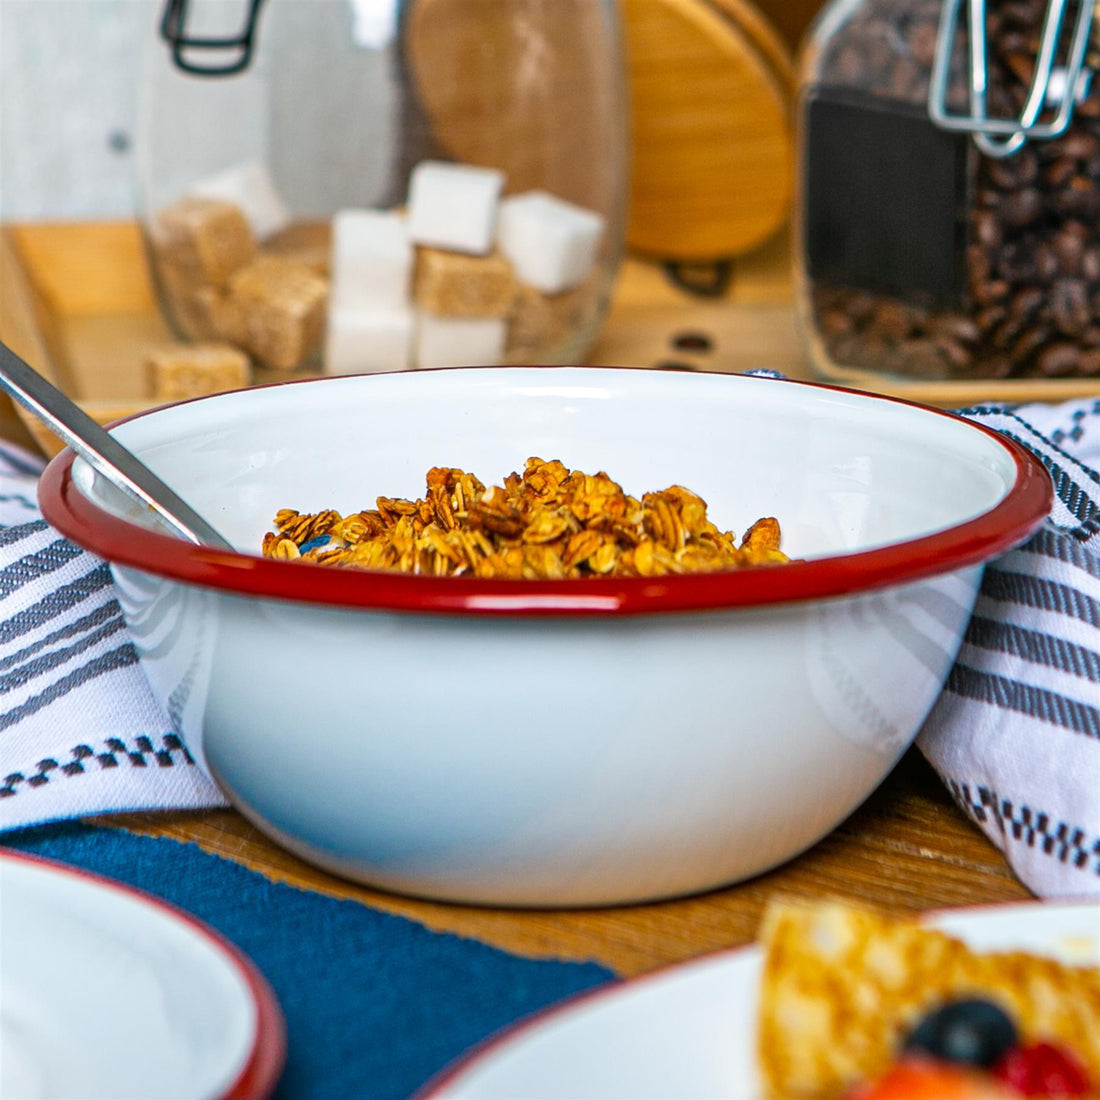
(76, 302)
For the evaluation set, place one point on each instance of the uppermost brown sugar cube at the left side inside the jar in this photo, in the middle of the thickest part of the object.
(206, 238)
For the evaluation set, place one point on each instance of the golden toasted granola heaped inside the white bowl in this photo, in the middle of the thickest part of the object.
(547, 523)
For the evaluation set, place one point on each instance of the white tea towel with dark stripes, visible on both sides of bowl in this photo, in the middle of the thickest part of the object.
(1016, 735)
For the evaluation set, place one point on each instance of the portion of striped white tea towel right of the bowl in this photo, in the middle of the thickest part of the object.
(1016, 735)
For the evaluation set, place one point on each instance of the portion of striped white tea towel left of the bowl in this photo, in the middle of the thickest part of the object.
(80, 730)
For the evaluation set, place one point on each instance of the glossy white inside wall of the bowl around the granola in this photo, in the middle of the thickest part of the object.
(843, 472)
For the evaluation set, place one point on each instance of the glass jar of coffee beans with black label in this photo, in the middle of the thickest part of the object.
(949, 217)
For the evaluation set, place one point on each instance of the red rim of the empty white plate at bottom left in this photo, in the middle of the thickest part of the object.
(268, 1055)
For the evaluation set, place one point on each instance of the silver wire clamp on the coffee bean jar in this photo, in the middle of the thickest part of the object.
(1055, 89)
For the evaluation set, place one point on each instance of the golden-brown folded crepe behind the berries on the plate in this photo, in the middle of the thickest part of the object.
(843, 987)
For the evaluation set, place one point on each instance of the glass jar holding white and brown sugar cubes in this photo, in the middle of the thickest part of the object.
(356, 185)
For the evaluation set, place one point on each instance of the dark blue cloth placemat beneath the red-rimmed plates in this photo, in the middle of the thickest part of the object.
(376, 1005)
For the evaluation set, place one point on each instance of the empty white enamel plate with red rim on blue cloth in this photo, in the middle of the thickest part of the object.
(107, 994)
